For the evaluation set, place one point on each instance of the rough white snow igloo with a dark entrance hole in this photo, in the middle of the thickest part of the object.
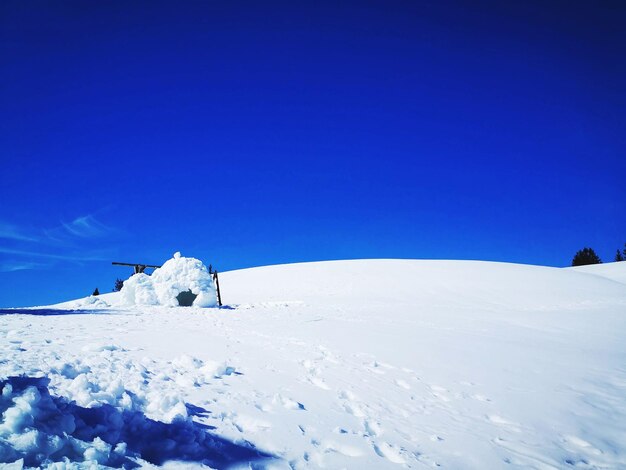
(179, 282)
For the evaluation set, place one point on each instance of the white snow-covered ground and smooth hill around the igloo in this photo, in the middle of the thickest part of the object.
(346, 364)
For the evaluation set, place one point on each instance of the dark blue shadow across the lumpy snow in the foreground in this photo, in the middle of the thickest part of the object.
(65, 430)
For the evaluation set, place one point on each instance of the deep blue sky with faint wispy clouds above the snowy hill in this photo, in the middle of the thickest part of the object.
(253, 133)
